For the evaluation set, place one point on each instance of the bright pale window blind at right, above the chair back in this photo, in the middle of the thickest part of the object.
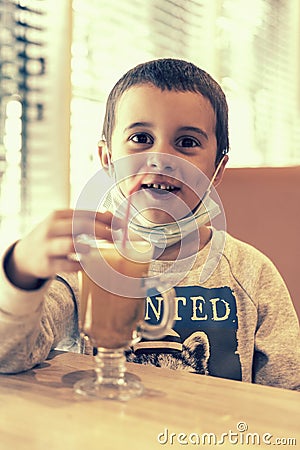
(259, 54)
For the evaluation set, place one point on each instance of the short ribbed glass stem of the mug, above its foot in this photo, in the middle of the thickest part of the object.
(110, 366)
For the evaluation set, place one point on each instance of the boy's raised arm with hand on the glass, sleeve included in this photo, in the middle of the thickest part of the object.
(37, 308)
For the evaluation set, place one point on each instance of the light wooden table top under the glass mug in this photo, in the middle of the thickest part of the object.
(39, 410)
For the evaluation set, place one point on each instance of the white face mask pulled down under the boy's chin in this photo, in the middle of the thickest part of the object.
(167, 234)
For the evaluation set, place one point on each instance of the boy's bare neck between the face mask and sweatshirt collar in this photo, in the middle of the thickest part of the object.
(187, 246)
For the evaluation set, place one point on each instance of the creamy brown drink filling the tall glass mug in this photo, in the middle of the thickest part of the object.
(110, 319)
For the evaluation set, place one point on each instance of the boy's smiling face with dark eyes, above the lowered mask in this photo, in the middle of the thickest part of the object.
(165, 129)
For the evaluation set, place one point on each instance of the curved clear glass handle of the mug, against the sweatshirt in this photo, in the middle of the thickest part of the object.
(158, 331)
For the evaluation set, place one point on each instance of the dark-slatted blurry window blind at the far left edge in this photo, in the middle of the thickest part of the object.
(22, 68)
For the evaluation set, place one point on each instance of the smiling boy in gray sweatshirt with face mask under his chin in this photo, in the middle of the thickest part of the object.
(238, 322)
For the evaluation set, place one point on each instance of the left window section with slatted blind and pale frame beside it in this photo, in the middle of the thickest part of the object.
(34, 106)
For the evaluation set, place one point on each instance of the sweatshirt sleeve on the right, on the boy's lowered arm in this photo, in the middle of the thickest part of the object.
(277, 353)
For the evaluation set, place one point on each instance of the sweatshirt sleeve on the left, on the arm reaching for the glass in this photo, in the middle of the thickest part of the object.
(32, 323)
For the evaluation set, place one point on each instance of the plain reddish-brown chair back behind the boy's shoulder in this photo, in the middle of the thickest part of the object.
(262, 207)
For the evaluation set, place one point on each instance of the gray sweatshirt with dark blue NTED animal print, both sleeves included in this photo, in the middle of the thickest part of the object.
(234, 319)
